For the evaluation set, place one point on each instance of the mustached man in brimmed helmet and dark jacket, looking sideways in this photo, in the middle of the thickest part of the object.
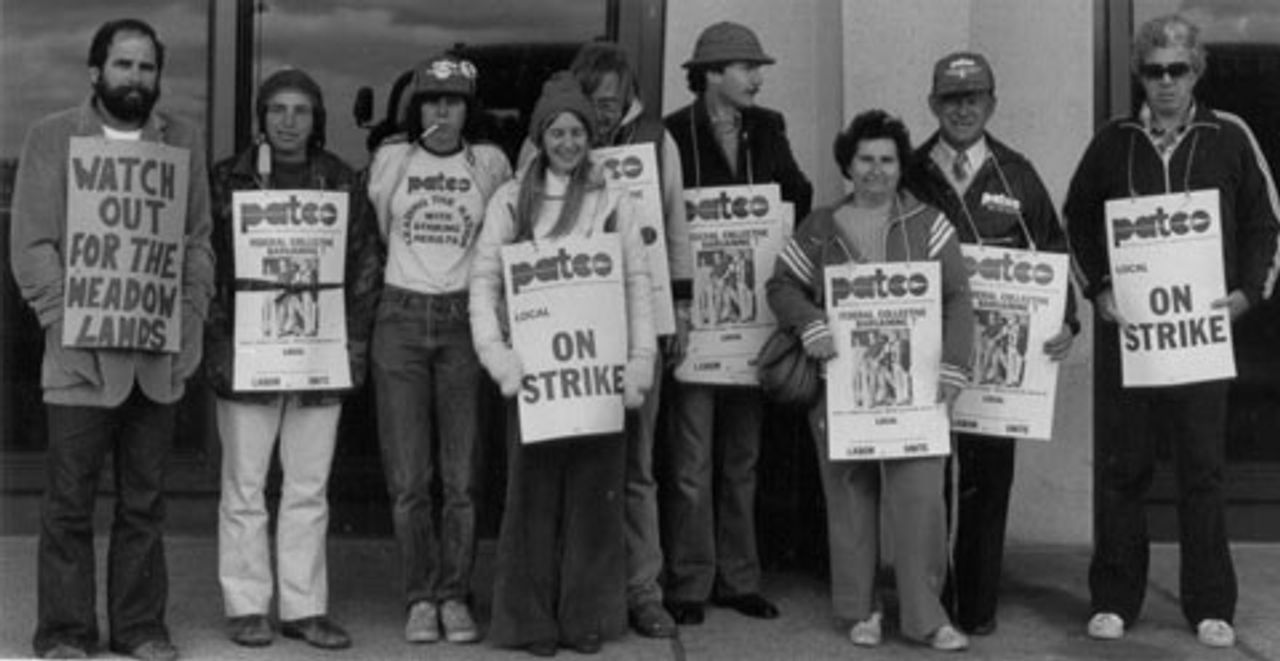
(725, 140)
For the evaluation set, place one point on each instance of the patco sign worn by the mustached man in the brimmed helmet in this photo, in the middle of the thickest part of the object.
(737, 234)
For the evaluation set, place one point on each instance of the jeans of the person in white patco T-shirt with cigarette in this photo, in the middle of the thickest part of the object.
(429, 384)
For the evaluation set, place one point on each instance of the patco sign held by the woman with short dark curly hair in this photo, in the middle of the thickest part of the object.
(883, 386)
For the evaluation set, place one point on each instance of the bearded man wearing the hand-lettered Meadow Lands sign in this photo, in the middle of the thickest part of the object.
(109, 396)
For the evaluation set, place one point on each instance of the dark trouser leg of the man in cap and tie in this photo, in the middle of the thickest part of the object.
(986, 478)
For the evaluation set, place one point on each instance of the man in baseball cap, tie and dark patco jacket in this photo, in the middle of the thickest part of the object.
(993, 197)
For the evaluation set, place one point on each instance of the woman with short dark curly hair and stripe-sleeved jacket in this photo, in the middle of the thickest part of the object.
(880, 222)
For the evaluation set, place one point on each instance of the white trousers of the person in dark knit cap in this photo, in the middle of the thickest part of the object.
(308, 436)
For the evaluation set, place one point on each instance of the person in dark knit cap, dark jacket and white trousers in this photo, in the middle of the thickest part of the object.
(291, 156)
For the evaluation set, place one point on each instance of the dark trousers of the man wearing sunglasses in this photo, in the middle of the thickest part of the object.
(1195, 421)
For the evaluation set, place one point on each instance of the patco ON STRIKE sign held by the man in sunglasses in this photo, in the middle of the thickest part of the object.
(1167, 268)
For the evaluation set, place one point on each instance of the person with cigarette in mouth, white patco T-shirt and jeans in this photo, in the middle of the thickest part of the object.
(429, 188)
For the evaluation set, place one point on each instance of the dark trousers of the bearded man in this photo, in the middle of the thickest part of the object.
(140, 434)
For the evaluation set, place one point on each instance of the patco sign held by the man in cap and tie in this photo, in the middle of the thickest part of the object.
(1020, 299)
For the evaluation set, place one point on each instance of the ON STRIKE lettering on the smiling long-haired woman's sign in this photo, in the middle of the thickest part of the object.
(573, 382)
